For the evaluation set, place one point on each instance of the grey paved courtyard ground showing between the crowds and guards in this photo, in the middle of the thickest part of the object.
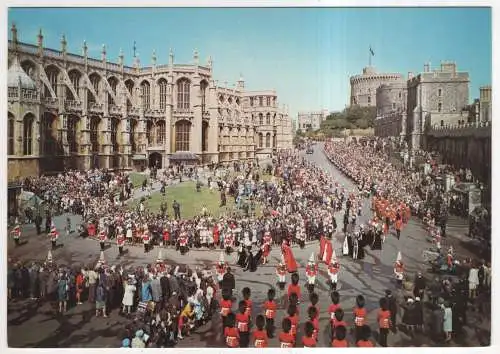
(33, 324)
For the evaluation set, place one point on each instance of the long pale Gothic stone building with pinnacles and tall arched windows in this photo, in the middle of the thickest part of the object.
(70, 111)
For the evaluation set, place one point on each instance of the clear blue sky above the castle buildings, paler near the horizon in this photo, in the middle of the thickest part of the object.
(306, 54)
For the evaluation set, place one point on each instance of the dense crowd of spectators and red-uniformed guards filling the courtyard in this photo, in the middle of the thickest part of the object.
(302, 207)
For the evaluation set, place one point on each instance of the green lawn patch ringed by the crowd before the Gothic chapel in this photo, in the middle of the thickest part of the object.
(191, 201)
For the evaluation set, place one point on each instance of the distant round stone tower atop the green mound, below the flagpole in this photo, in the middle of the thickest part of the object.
(364, 87)
